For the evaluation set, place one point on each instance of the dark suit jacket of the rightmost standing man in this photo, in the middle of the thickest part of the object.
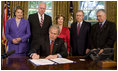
(104, 37)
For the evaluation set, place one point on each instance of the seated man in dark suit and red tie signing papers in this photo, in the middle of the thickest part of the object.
(45, 48)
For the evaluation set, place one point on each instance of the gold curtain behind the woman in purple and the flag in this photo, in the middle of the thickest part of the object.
(13, 4)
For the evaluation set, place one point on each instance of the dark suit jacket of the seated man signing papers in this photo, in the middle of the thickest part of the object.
(43, 49)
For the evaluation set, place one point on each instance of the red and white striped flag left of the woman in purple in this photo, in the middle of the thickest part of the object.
(6, 16)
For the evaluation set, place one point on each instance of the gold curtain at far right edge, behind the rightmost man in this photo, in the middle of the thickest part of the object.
(111, 9)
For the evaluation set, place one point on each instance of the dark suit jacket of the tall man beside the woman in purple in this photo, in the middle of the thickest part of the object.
(37, 31)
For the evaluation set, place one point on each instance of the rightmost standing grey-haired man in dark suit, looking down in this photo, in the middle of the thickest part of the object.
(103, 33)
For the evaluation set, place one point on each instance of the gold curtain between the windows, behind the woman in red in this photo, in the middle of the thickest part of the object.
(62, 7)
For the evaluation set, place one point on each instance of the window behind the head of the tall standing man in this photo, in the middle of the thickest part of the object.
(33, 7)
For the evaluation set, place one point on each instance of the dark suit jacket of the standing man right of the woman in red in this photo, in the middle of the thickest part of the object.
(79, 43)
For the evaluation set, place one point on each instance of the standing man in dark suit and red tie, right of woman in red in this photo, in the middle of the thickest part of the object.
(79, 35)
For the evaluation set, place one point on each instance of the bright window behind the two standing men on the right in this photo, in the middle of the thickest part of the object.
(90, 8)
